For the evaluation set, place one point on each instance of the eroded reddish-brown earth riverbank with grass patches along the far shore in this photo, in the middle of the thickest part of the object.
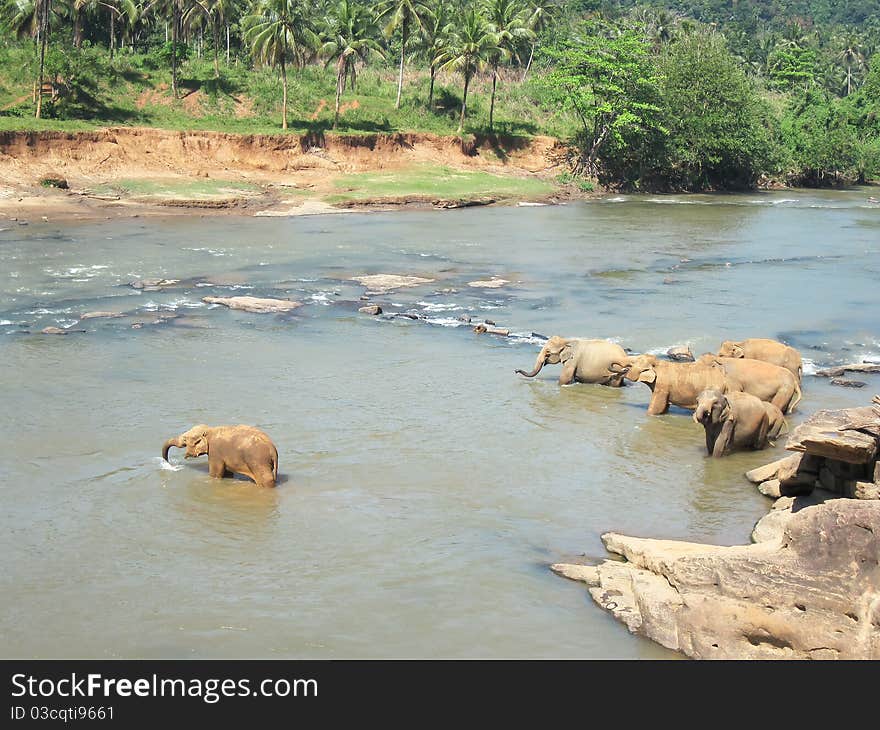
(140, 171)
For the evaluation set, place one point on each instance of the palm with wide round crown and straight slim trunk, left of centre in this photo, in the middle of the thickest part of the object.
(277, 31)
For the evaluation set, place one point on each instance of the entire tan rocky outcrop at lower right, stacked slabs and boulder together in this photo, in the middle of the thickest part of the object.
(809, 586)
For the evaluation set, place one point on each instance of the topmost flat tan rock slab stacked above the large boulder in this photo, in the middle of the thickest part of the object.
(829, 434)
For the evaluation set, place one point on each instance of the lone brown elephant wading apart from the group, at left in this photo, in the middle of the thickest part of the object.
(240, 449)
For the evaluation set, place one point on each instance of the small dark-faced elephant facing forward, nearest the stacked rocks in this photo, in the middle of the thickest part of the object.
(737, 421)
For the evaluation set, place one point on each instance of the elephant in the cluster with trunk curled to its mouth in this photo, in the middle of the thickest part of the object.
(672, 383)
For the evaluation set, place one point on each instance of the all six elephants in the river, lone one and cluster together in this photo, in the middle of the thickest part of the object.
(739, 396)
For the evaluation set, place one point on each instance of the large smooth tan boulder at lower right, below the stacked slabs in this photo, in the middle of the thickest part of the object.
(807, 592)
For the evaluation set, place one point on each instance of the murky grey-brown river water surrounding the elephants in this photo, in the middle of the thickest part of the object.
(425, 487)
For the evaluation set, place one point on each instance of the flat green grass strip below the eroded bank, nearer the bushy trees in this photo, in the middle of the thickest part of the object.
(434, 181)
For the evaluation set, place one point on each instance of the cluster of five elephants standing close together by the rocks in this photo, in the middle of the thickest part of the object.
(740, 395)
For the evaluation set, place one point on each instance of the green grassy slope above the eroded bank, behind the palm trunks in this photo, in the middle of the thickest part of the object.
(133, 89)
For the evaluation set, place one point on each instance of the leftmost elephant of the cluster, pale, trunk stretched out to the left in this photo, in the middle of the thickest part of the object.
(583, 361)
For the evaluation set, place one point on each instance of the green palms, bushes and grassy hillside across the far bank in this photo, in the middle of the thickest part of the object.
(677, 95)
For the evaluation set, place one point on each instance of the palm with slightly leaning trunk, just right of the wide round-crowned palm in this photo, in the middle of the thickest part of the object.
(351, 37)
